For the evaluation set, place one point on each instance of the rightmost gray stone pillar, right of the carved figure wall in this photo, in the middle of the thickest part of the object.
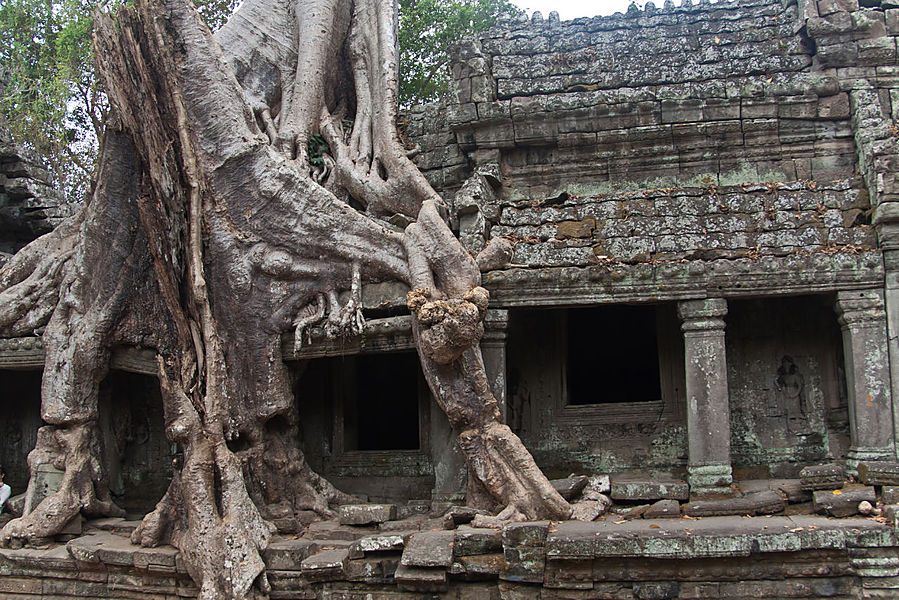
(866, 357)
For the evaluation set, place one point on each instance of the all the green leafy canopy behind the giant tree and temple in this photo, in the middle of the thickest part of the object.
(54, 105)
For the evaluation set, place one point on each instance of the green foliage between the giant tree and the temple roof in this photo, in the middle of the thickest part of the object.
(427, 29)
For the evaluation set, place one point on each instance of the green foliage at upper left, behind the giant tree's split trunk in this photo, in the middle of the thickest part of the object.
(52, 99)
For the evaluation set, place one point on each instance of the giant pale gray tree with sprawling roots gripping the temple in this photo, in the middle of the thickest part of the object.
(211, 232)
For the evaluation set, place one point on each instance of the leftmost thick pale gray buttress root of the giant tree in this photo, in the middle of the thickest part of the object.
(96, 260)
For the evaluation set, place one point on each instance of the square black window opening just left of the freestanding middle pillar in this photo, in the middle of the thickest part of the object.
(613, 355)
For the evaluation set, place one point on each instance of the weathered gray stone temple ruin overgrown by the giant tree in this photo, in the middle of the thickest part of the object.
(700, 316)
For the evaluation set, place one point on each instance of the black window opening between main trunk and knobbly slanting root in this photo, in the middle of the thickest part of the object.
(384, 409)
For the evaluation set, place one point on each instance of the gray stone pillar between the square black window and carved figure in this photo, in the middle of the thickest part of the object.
(708, 402)
